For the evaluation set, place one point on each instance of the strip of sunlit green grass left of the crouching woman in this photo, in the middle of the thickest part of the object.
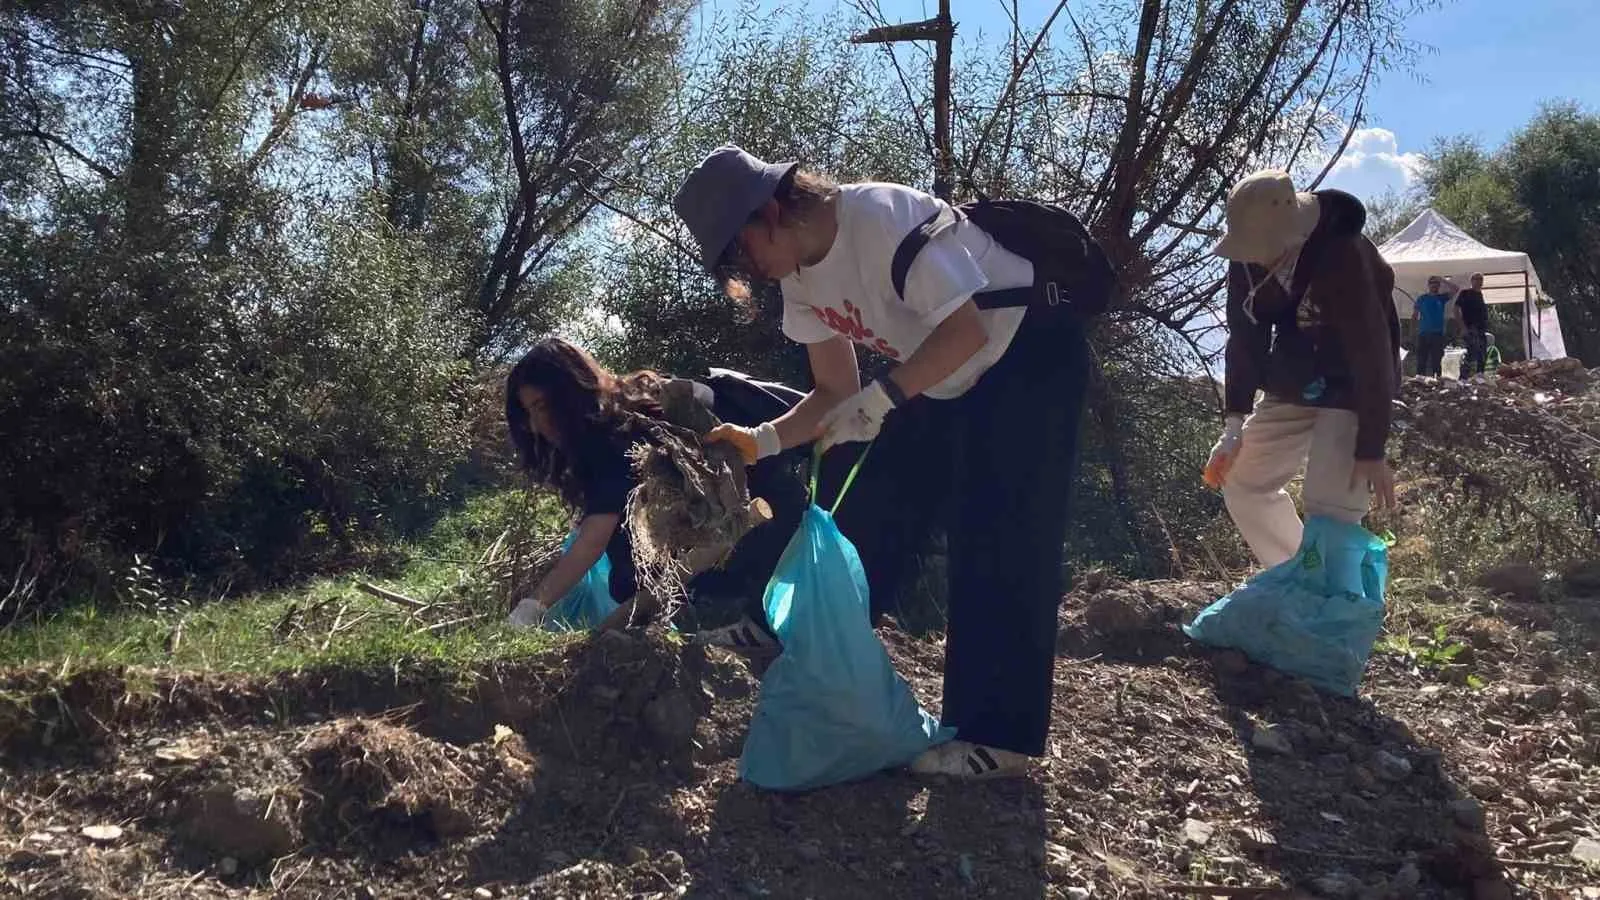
(262, 635)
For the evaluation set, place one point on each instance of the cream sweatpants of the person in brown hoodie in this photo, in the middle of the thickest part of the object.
(1278, 441)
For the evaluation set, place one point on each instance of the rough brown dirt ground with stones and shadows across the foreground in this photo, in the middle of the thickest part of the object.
(610, 771)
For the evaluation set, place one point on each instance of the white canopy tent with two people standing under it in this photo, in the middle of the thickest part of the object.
(1434, 246)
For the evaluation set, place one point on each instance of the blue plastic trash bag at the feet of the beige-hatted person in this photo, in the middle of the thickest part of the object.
(1316, 616)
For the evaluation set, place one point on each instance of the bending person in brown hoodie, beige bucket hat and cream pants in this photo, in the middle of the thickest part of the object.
(1311, 324)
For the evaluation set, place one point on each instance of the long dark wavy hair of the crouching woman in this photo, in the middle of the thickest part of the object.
(590, 408)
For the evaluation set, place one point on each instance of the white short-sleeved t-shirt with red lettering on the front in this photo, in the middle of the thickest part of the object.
(852, 291)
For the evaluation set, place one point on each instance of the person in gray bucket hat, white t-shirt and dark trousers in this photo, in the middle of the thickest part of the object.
(994, 448)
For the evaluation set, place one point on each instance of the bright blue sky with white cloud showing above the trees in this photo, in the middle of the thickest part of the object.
(1486, 70)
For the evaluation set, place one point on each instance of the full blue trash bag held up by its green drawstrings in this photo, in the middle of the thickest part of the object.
(833, 707)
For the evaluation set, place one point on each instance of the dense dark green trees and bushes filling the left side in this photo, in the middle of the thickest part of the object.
(255, 254)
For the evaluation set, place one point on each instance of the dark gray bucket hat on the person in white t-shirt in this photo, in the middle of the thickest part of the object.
(721, 195)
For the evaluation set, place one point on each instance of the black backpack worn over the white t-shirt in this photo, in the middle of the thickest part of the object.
(1071, 271)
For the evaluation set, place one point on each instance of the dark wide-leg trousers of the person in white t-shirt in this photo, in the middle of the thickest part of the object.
(996, 467)
